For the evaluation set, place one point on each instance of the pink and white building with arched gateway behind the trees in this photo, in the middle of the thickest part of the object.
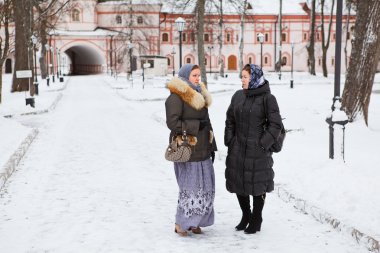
(111, 36)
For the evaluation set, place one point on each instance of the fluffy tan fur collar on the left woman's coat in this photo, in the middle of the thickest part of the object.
(188, 95)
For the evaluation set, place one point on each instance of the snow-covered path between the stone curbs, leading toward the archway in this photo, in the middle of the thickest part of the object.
(95, 180)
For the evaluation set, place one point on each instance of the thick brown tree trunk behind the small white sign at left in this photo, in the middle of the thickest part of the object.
(22, 19)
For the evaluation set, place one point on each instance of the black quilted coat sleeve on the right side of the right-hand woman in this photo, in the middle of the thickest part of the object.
(274, 123)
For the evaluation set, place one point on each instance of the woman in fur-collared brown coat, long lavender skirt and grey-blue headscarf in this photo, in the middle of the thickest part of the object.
(186, 109)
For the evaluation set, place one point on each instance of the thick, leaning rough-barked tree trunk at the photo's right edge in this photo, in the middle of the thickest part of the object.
(364, 59)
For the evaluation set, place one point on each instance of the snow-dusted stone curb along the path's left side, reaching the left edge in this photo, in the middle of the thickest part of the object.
(15, 159)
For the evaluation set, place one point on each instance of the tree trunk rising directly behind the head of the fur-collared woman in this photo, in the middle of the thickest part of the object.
(200, 32)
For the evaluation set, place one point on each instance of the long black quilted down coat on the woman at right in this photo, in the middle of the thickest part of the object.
(249, 163)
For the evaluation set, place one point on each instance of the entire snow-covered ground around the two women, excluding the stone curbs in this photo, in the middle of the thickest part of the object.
(94, 179)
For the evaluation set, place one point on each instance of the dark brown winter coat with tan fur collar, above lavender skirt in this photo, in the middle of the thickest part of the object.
(185, 109)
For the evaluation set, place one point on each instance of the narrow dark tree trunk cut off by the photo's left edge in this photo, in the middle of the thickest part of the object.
(5, 16)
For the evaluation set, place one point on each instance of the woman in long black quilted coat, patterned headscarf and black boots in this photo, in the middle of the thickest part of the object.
(249, 134)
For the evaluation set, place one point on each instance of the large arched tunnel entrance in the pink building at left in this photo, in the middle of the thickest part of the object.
(82, 58)
